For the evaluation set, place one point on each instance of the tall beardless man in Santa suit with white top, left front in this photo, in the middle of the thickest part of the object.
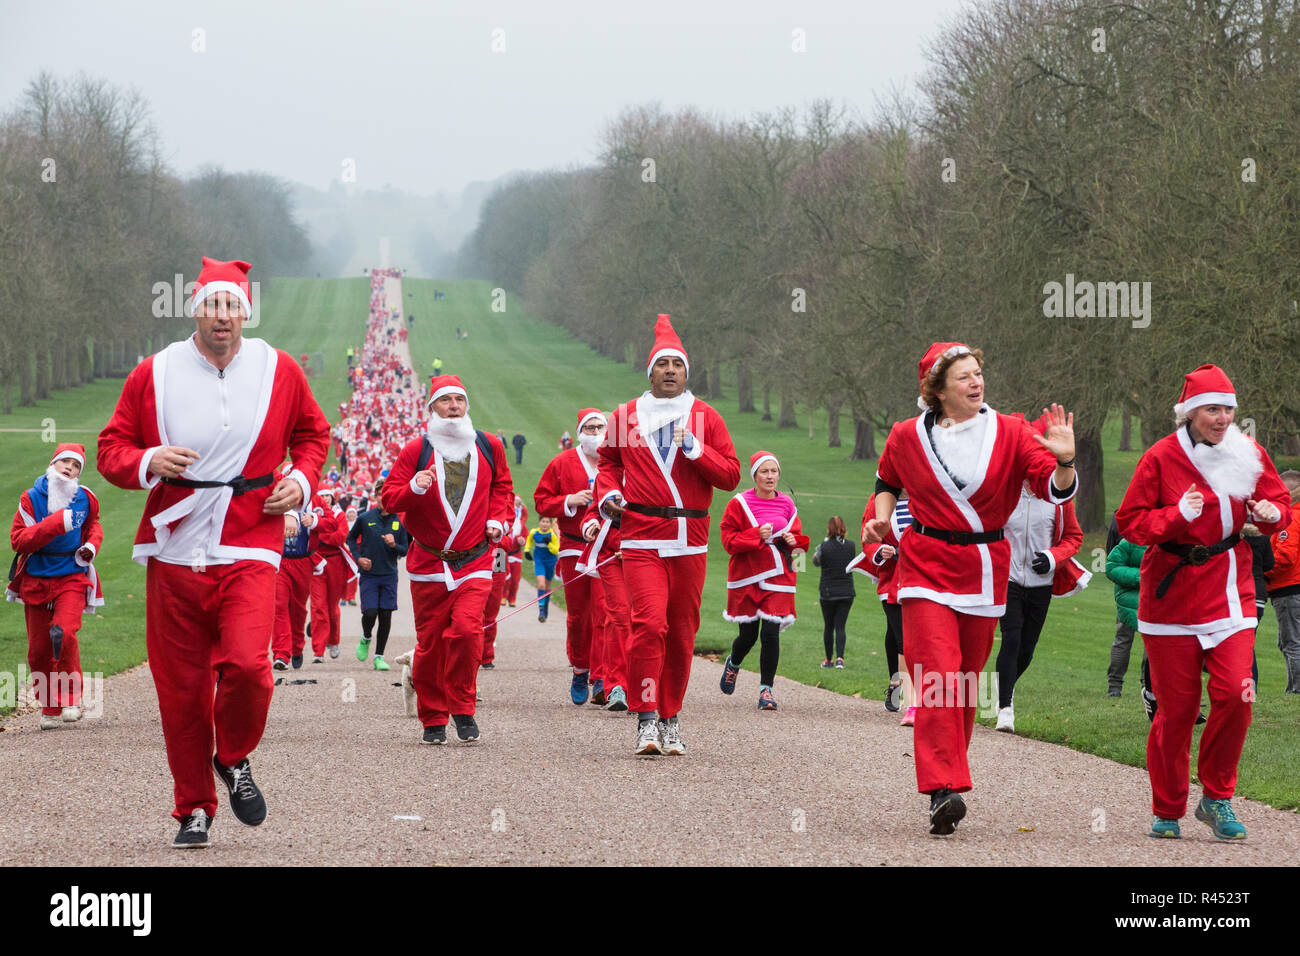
(203, 426)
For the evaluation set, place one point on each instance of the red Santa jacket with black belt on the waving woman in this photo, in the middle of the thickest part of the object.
(969, 578)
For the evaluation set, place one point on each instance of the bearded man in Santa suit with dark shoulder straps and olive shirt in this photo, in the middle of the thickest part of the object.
(448, 486)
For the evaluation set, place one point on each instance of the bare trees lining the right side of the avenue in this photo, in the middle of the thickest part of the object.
(816, 256)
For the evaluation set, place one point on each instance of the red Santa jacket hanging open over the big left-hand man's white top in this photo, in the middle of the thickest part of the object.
(288, 418)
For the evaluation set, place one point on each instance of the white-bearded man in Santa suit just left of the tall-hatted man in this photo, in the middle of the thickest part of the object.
(564, 494)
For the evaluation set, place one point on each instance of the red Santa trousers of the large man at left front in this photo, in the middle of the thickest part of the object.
(209, 631)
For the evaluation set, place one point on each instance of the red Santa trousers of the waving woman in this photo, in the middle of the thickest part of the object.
(950, 651)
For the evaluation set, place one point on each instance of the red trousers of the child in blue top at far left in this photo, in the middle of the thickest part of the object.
(50, 602)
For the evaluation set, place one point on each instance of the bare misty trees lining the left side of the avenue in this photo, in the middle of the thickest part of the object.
(92, 219)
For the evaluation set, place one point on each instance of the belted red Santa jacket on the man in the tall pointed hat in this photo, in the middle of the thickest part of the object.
(630, 466)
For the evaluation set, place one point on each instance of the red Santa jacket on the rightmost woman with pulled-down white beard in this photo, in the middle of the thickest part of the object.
(1214, 600)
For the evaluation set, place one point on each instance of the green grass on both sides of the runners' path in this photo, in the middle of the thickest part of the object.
(534, 378)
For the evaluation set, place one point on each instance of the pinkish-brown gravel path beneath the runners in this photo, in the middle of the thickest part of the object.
(826, 780)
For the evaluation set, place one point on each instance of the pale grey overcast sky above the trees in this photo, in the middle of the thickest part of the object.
(414, 93)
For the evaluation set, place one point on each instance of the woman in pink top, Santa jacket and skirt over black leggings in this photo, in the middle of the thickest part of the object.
(761, 533)
